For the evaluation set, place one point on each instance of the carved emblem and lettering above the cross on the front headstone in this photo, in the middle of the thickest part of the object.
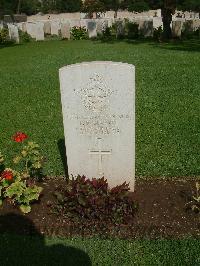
(95, 99)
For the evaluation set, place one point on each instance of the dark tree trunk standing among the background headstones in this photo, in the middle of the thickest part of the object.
(167, 19)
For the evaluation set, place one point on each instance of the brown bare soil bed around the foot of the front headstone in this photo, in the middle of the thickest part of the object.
(162, 213)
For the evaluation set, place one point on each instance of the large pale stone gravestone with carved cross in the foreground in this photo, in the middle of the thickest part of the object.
(98, 104)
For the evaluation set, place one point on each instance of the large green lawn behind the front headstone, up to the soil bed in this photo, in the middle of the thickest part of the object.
(168, 100)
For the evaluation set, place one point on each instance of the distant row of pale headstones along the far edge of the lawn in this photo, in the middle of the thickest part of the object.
(38, 30)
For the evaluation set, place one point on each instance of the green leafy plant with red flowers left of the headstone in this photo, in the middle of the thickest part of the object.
(18, 186)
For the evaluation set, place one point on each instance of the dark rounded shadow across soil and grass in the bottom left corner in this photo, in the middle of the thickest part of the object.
(22, 244)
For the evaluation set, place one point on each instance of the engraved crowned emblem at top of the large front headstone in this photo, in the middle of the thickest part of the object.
(95, 95)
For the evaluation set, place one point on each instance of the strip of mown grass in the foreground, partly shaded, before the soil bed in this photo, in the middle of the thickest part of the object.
(21, 250)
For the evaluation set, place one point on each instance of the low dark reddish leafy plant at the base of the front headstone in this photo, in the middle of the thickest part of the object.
(89, 202)
